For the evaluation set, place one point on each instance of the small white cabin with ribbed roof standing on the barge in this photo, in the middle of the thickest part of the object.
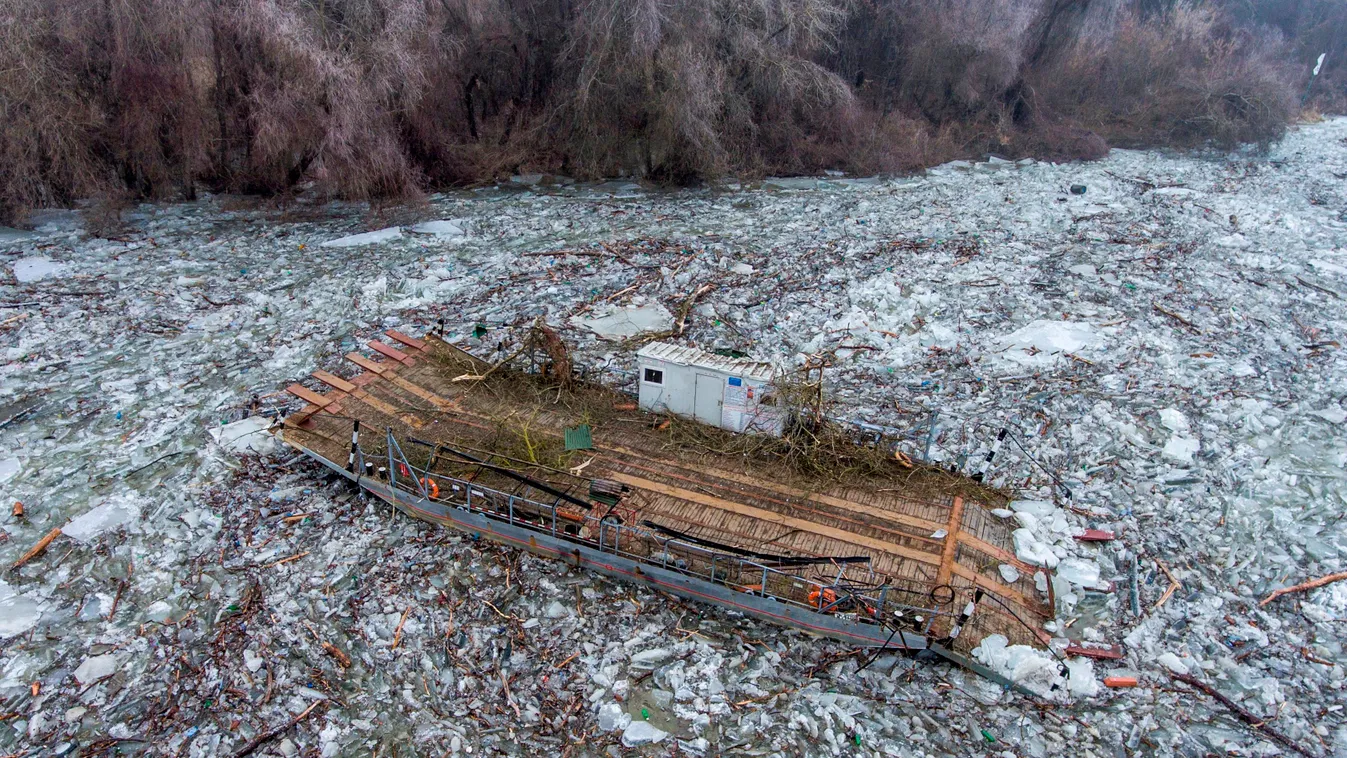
(731, 394)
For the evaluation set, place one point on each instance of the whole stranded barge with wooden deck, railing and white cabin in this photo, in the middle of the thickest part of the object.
(808, 528)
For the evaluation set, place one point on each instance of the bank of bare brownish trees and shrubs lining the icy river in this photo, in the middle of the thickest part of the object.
(381, 99)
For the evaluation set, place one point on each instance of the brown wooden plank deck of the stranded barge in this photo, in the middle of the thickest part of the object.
(921, 531)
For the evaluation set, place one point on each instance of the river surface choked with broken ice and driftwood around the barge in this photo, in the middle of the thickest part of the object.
(1166, 345)
